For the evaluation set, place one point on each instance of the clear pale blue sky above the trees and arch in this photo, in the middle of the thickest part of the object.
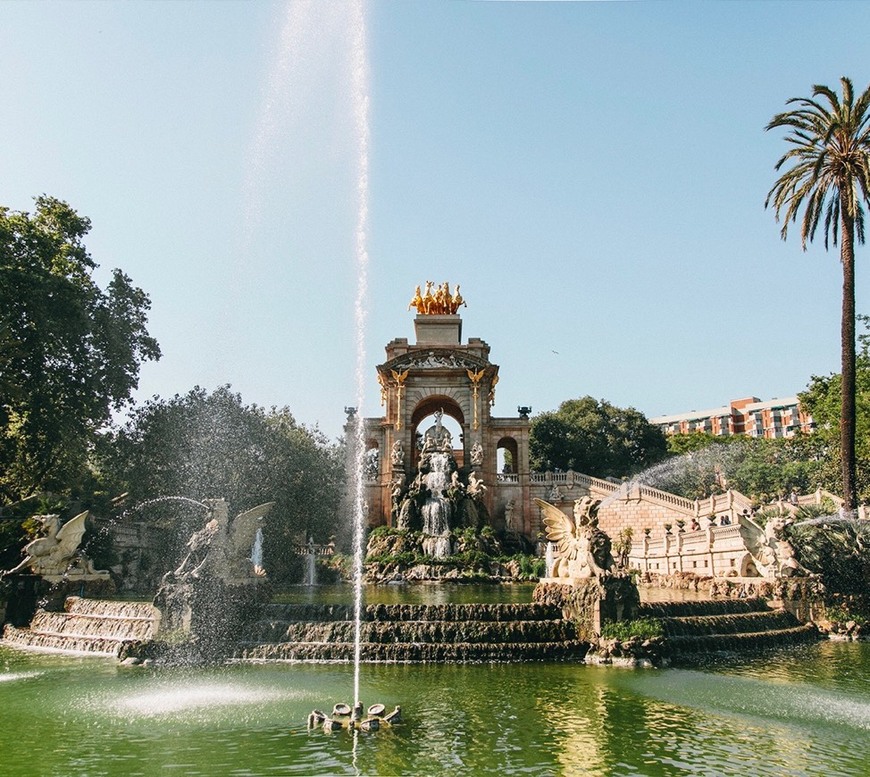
(593, 174)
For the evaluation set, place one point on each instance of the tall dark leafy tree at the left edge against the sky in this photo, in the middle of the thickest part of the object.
(69, 352)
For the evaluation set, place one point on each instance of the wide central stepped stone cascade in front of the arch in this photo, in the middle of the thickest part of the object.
(414, 633)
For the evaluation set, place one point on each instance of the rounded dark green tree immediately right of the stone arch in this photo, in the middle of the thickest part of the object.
(595, 438)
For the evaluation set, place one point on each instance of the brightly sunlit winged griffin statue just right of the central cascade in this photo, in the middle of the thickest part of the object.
(582, 549)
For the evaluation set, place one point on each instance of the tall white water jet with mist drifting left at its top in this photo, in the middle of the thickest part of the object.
(319, 41)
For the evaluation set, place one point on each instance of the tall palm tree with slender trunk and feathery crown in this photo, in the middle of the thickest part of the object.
(830, 180)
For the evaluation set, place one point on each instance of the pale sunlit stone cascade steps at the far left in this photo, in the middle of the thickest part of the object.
(94, 626)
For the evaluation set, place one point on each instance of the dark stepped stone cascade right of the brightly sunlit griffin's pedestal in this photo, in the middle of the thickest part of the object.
(710, 626)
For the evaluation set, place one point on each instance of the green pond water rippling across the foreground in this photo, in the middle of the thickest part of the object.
(801, 711)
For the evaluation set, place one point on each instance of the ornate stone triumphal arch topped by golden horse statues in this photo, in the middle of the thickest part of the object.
(424, 383)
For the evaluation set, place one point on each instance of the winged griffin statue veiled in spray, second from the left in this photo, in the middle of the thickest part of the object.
(222, 548)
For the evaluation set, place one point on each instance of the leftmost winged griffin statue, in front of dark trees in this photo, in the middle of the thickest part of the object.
(56, 553)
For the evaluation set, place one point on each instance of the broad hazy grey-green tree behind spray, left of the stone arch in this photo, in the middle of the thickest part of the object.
(203, 445)
